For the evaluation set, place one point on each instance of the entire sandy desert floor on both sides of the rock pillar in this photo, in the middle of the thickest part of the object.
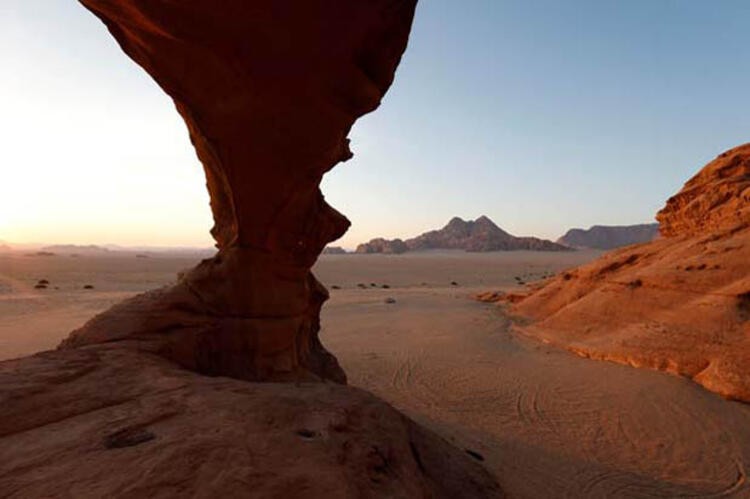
(547, 423)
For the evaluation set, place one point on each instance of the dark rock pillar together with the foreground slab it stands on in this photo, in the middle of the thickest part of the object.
(269, 91)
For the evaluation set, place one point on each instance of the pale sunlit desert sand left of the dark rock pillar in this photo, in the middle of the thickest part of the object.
(32, 319)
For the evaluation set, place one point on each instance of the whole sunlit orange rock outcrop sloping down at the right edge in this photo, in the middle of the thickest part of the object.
(680, 303)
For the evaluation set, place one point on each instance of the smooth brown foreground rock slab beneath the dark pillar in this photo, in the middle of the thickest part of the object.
(112, 422)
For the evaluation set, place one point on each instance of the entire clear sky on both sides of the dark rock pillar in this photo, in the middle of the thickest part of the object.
(543, 115)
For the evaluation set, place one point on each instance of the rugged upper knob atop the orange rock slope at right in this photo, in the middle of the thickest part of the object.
(718, 197)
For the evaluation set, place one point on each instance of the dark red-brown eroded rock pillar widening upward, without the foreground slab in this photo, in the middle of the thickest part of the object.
(269, 92)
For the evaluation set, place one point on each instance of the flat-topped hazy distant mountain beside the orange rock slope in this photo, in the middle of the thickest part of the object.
(610, 237)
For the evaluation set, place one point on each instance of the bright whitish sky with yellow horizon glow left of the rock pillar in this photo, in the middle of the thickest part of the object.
(98, 153)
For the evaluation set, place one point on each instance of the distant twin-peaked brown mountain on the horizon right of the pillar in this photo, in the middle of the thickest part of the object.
(477, 235)
